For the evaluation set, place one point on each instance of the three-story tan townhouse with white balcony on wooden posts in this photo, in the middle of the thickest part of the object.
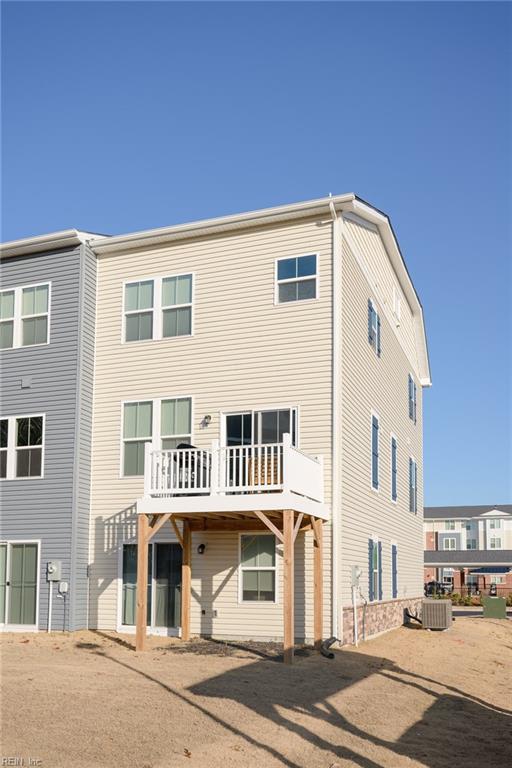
(229, 335)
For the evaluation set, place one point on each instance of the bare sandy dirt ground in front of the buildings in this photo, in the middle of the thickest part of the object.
(407, 698)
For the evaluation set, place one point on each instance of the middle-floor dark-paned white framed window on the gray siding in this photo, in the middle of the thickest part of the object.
(22, 447)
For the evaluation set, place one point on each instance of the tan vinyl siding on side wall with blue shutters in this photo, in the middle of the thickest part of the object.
(380, 385)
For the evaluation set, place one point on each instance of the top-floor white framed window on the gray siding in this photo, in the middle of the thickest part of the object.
(25, 316)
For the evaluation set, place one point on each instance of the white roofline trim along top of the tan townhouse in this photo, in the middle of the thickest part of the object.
(320, 206)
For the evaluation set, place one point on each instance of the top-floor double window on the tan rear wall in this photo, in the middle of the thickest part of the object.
(158, 308)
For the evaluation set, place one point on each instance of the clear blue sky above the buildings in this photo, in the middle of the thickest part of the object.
(124, 116)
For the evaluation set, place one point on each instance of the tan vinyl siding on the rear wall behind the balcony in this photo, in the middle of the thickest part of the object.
(245, 353)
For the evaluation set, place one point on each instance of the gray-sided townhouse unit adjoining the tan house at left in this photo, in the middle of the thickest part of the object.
(47, 308)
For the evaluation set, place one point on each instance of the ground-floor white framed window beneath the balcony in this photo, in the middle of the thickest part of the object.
(257, 567)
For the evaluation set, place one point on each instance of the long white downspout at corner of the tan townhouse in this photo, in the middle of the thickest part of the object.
(337, 234)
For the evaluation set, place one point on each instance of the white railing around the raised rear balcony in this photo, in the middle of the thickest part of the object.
(229, 470)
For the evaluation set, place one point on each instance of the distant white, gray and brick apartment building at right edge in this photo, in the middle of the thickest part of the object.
(469, 546)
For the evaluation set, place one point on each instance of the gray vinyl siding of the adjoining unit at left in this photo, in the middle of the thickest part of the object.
(50, 509)
